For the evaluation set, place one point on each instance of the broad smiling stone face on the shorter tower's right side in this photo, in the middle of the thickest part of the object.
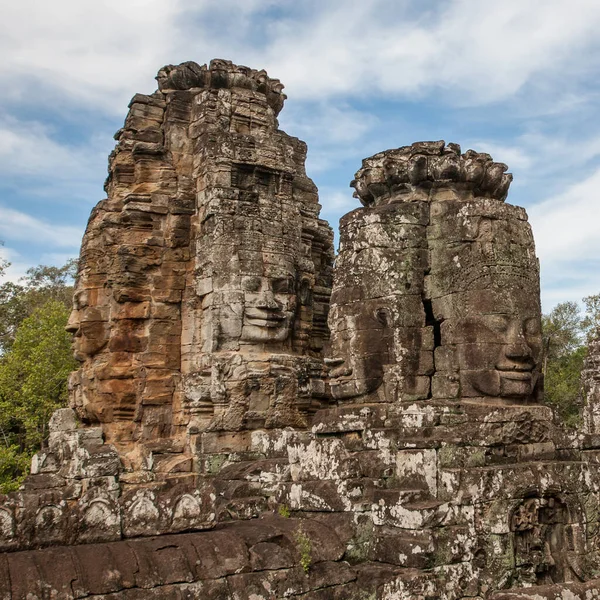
(498, 344)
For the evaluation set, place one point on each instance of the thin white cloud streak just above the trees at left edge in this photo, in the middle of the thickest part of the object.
(18, 226)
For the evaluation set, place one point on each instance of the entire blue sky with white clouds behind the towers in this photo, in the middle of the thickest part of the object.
(518, 79)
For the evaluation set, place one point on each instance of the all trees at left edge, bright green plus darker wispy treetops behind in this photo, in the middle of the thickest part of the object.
(35, 361)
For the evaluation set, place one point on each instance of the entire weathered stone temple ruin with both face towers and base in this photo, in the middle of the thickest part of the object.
(254, 421)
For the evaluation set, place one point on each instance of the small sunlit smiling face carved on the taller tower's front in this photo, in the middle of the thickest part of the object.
(269, 307)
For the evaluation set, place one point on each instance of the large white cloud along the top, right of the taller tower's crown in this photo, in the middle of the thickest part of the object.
(484, 52)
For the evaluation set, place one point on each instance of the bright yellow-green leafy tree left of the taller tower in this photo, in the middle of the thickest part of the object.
(33, 383)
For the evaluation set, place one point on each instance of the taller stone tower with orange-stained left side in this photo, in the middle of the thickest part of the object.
(205, 275)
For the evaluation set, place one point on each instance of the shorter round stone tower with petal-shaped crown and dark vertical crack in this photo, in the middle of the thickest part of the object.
(436, 292)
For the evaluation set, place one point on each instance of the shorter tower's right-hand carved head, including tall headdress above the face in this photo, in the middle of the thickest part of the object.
(485, 286)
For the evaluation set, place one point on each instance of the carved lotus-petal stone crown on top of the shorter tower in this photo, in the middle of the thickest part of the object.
(429, 164)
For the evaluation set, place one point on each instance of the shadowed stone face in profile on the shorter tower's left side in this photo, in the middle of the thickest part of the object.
(361, 348)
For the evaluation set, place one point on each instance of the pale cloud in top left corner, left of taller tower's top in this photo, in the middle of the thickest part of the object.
(94, 52)
